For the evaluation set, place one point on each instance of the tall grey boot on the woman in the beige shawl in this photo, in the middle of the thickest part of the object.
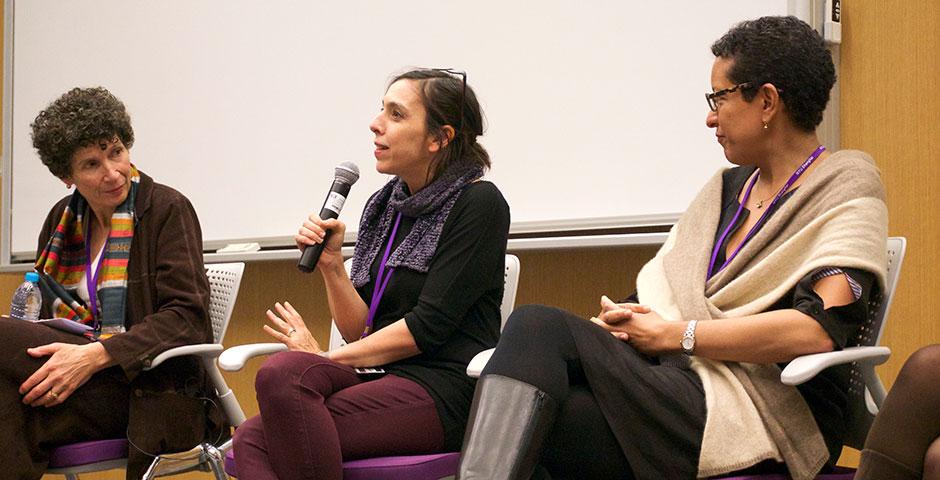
(509, 420)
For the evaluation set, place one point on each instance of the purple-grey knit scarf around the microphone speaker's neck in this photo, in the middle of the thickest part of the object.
(430, 208)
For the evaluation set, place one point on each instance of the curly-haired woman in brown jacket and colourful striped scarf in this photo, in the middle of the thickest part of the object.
(121, 255)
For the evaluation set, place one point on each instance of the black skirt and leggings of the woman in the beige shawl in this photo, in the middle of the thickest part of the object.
(545, 347)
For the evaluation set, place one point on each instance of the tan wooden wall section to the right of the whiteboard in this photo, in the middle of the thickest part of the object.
(890, 73)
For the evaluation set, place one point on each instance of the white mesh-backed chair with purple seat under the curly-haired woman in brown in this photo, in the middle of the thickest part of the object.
(101, 455)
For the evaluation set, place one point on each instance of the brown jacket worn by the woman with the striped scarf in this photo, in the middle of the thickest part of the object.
(167, 306)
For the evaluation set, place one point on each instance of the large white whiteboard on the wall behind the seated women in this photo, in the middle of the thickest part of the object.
(595, 110)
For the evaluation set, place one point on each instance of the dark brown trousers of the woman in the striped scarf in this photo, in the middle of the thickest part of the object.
(97, 410)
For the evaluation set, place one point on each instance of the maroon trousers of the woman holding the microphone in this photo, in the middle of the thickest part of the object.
(316, 413)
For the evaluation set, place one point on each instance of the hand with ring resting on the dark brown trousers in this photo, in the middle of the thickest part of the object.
(68, 368)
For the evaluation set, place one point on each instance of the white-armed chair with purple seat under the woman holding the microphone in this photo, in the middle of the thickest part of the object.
(412, 467)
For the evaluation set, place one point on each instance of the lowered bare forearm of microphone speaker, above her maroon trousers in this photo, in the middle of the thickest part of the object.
(387, 345)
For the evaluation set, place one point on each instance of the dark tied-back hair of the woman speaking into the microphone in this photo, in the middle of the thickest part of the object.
(441, 93)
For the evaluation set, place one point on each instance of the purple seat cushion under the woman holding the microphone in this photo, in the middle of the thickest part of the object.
(412, 467)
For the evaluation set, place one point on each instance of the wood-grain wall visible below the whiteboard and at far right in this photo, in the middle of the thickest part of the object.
(889, 107)
